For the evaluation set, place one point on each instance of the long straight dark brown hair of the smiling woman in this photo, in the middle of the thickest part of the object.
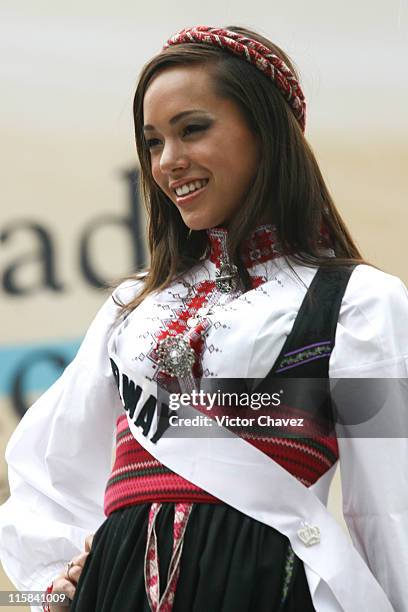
(288, 187)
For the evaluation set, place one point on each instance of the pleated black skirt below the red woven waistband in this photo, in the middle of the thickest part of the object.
(230, 563)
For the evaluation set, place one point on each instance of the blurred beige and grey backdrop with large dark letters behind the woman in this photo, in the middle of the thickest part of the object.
(71, 219)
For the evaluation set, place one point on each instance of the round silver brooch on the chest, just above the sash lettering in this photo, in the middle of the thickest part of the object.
(176, 356)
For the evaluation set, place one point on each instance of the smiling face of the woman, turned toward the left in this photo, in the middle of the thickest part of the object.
(199, 143)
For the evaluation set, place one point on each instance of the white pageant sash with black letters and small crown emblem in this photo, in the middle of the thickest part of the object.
(243, 477)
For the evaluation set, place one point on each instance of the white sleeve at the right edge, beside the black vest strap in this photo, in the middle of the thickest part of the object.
(372, 344)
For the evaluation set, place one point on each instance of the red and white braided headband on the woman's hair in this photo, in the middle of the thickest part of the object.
(256, 54)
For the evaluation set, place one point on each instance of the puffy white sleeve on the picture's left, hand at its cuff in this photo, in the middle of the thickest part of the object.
(59, 460)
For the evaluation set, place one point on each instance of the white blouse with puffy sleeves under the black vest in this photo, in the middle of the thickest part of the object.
(60, 454)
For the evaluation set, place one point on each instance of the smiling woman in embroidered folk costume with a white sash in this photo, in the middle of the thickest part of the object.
(253, 278)
